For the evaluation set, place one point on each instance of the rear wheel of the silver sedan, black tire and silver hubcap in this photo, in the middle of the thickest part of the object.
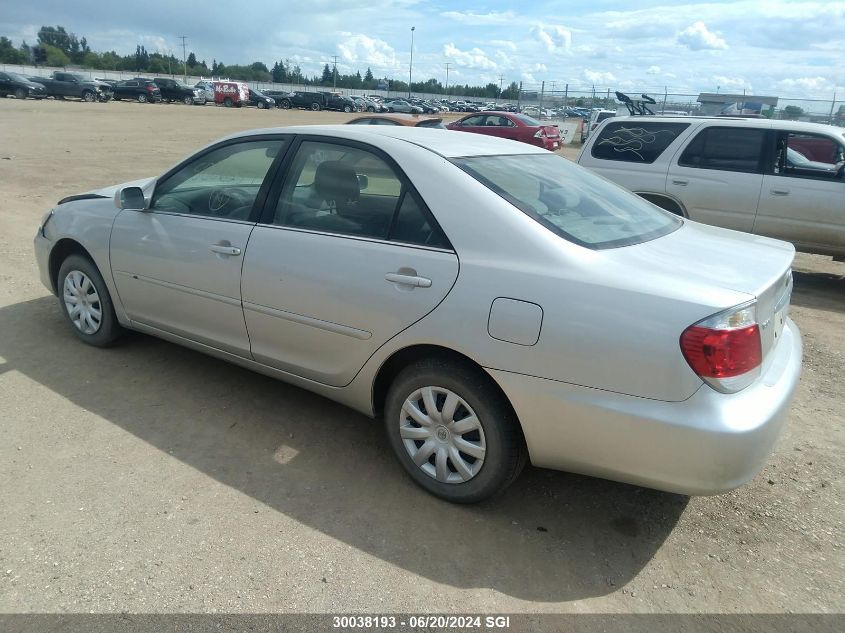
(491, 431)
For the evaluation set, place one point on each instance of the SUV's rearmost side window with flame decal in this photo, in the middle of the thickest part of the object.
(635, 141)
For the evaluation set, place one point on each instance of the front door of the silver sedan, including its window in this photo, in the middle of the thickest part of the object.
(177, 265)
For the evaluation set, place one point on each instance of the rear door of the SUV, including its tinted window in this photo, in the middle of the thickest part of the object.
(718, 175)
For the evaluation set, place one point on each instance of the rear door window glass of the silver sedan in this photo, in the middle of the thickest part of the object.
(352, 191)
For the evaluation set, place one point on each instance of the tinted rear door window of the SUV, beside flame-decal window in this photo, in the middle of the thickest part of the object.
(726, 148)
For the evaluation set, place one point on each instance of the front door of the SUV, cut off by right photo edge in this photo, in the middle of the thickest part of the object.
(802, 200)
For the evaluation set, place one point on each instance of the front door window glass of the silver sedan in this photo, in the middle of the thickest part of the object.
(222, 183)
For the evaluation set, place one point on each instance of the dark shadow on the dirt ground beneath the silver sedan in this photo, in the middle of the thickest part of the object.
(551, 537)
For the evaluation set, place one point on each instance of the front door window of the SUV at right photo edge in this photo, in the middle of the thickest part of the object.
(803, 155)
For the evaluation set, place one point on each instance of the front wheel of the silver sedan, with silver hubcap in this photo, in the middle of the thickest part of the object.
(80, 284)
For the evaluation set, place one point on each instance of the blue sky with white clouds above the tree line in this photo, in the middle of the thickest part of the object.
(766, 47)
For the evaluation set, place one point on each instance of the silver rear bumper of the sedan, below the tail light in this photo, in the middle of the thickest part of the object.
(707, 444)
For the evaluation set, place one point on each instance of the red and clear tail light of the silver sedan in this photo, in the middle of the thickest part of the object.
(725, 349)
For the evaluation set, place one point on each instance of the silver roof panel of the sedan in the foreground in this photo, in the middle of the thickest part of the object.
(446, 143)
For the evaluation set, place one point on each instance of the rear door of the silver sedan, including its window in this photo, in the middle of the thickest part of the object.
(347, 258)
